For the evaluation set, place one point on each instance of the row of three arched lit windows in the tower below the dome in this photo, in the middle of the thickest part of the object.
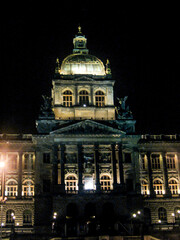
(84, 97)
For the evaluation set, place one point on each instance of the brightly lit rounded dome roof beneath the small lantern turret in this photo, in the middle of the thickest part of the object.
(85, 64)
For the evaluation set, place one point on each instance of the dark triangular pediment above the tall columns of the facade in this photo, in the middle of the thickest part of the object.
(87, 127)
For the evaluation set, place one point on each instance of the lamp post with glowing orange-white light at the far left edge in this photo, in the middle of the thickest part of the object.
(2, 198)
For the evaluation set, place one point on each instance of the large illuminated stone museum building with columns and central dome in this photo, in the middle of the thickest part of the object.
(86, 171)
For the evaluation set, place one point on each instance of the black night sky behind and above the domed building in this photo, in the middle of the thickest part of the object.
(141, 42)
